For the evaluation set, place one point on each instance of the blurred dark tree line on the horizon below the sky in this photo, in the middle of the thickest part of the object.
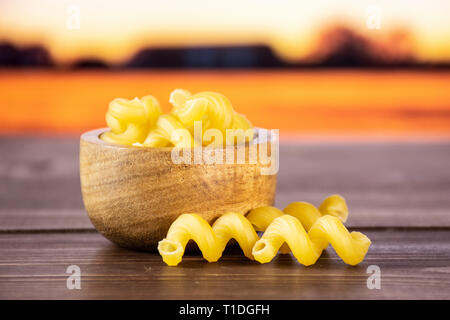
(339, 47)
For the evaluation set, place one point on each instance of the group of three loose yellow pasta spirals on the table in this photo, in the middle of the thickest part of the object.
(300, 228)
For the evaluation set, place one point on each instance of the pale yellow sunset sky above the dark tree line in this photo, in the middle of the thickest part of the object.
(114, 30)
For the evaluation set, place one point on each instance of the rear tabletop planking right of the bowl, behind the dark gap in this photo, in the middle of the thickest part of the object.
(385, 184)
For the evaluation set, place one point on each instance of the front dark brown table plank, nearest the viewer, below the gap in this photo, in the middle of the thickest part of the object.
(33, 266)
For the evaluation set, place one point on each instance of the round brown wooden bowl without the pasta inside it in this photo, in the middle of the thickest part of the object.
(133, 194)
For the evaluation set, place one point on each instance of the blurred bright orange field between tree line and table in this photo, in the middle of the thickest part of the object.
(301, 103)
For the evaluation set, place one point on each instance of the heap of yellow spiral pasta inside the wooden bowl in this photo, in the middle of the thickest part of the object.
(140, 122)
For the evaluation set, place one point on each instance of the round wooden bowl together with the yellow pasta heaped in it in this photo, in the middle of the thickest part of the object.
(144, 171)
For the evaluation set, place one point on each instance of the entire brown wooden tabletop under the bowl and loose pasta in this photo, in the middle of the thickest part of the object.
(398, 194)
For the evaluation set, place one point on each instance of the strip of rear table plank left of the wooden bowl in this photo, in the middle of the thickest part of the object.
(39, 173)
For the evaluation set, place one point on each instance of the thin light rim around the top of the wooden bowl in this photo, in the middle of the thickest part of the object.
(93, 136)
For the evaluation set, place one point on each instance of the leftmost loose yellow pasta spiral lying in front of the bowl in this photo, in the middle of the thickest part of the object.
(210, 240)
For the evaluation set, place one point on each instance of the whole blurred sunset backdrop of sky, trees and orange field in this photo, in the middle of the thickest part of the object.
(350, 69)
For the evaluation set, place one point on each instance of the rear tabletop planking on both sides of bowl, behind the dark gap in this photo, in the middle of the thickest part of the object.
(386, 184)
